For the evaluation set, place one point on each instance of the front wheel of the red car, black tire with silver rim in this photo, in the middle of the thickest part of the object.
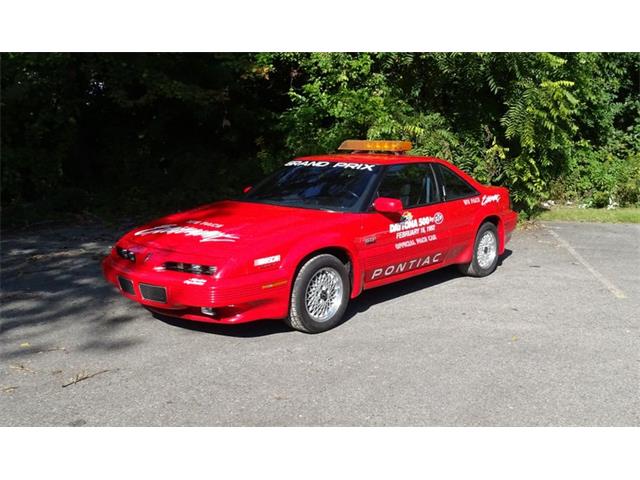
(300, 317)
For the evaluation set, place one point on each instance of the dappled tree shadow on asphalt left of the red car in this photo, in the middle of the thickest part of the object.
(52, 283)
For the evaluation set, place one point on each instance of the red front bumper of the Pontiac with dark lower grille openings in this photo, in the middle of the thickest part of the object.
(263, 295)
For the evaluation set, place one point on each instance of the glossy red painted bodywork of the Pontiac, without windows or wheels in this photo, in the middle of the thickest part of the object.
(244, 240)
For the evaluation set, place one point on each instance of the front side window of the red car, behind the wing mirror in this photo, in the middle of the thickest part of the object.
(412, 183)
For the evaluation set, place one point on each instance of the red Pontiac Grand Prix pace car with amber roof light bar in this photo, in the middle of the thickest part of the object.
(311, 236)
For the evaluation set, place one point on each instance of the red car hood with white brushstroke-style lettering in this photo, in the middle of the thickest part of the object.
(221, 227)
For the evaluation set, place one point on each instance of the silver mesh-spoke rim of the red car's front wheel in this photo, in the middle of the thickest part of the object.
(323, 296)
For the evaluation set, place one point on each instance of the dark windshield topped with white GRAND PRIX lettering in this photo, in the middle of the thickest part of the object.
(322, 185)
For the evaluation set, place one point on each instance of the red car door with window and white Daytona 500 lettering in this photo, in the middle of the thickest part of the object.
(392, 245)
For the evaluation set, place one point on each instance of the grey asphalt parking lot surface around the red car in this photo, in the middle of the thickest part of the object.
(550, 339)
